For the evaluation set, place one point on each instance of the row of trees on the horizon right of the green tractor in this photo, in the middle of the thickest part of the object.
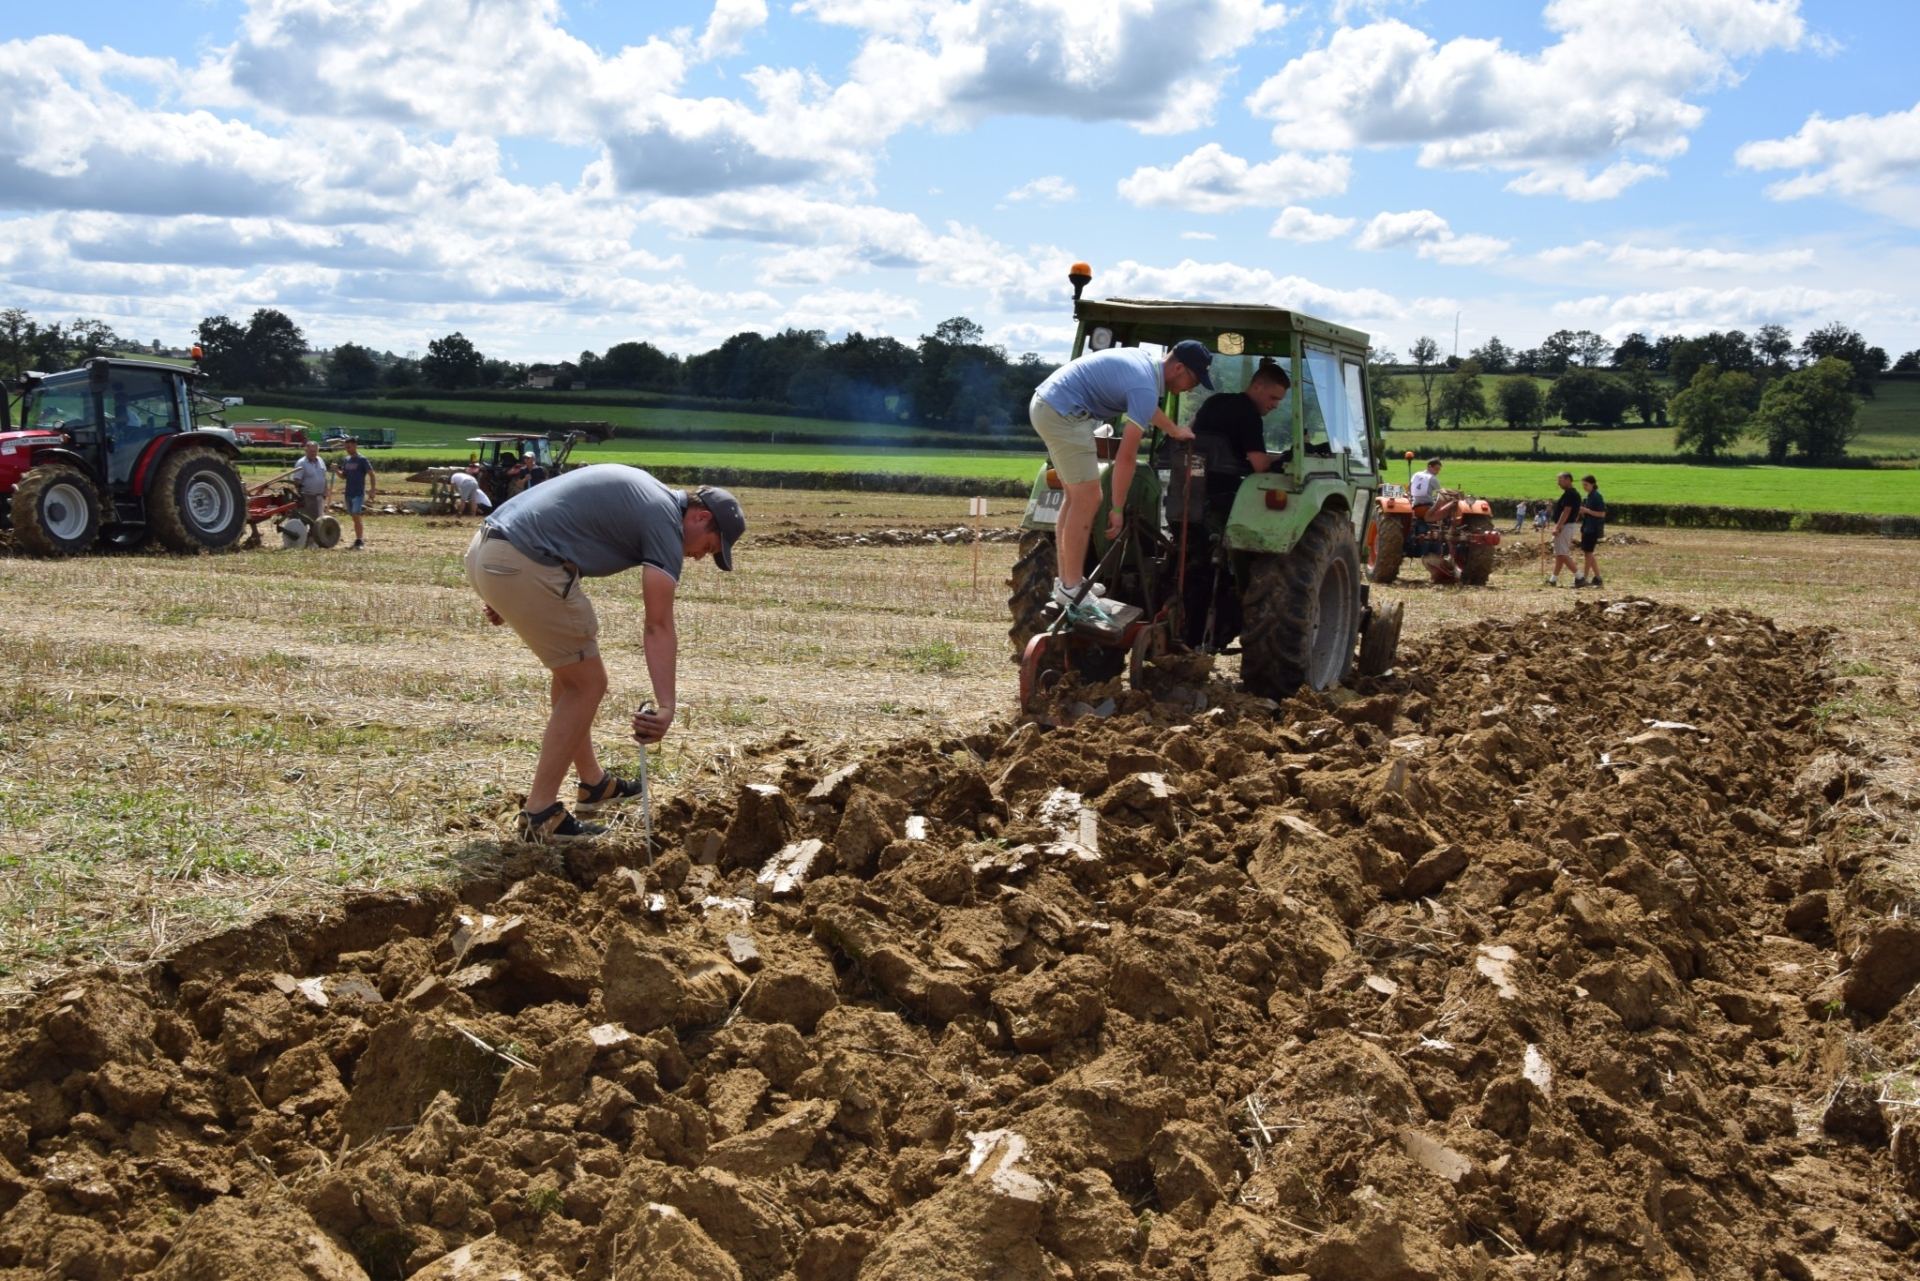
(1800, 399)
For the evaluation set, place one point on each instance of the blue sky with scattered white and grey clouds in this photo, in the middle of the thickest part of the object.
(558, 178)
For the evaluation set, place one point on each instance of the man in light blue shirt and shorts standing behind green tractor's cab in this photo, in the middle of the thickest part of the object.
(1065, 412)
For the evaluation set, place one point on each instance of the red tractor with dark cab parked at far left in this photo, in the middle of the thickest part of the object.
(110, 454)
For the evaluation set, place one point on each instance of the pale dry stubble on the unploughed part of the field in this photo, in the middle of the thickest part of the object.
(189, 742)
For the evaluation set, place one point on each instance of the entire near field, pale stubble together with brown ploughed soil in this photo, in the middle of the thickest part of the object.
(1345, 967)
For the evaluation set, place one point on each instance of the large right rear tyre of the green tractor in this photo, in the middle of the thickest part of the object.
(1303, 612)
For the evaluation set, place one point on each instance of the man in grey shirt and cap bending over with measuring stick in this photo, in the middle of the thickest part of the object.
(527, 564)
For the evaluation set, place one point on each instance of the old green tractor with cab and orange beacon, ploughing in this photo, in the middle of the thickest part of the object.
(1214, 552)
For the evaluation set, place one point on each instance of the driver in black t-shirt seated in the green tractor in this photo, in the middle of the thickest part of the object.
(1236, 423)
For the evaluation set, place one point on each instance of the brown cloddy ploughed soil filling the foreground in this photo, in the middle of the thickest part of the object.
(1531, 959)
